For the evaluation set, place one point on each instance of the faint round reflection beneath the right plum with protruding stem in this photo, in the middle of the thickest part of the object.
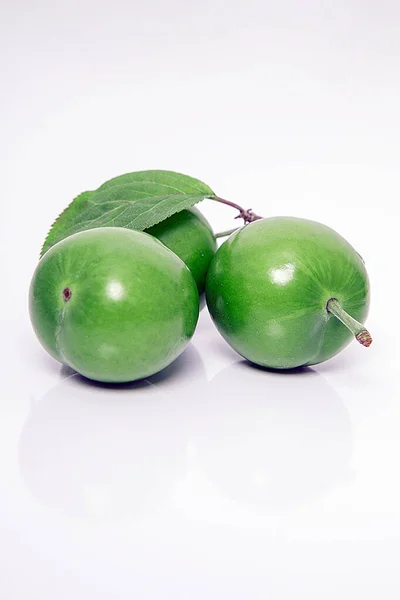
(276, 440)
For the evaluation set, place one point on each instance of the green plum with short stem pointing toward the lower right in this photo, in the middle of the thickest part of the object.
(287, 292)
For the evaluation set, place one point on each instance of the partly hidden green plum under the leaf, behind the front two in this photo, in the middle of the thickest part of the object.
(190, 236)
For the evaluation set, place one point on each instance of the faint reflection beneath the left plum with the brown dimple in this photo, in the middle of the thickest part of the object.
(104, 451)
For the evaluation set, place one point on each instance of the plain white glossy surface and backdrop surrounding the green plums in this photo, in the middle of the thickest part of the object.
(219, 480)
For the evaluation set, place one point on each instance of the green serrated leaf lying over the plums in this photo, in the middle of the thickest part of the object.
(135, 201)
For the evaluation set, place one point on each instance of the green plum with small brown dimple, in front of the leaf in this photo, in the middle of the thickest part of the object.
(114, 304)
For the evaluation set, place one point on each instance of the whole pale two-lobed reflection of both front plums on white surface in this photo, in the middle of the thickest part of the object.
(272, 440)
